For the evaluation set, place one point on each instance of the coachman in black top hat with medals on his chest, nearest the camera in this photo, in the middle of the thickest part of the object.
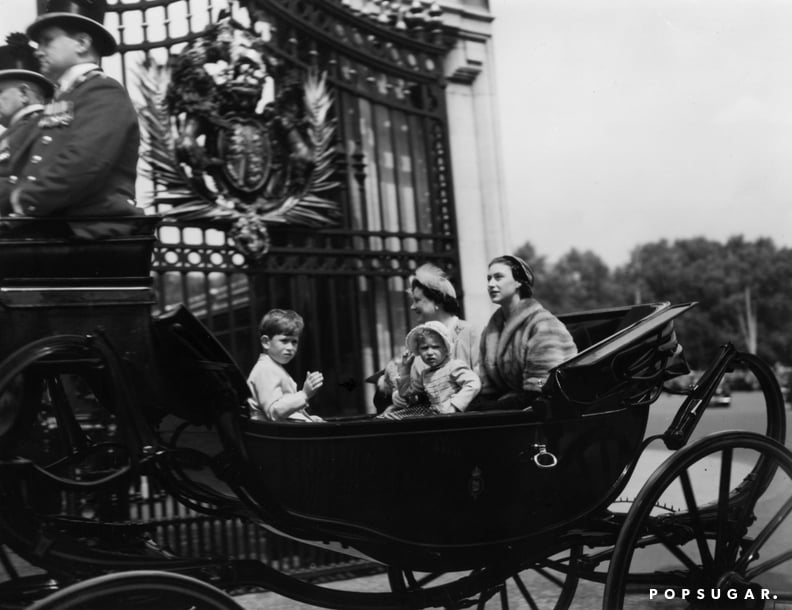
(83, 162)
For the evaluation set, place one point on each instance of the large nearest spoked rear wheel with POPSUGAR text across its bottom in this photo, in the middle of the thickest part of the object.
(719, 536)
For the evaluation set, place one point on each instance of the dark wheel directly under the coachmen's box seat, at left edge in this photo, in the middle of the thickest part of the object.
(64, 396)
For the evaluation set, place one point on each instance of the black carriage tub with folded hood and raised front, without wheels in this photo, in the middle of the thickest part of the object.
(442, 491)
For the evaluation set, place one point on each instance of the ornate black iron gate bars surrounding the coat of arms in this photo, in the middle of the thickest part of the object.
(384, 65)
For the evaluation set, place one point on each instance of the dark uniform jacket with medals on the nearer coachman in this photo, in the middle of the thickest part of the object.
(83, 160)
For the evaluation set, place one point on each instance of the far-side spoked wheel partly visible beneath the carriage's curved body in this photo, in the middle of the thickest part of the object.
(549, 583)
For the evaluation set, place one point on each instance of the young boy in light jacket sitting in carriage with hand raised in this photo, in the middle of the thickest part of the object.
(275, 394)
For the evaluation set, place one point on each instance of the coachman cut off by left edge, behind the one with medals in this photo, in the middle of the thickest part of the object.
(23, 92)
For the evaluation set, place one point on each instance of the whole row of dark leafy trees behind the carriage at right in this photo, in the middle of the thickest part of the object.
(742, 289)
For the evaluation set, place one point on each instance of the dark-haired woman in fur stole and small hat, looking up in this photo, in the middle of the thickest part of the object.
(522, 341)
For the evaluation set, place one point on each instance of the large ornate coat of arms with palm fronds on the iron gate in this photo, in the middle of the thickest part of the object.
(230, 135)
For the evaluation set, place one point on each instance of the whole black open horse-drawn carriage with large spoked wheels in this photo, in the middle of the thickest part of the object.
(453, 506)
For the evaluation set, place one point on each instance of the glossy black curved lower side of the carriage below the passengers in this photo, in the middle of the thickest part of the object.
(440, 492)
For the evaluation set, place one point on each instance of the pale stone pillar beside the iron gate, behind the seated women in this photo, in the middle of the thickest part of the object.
(482, 218)
